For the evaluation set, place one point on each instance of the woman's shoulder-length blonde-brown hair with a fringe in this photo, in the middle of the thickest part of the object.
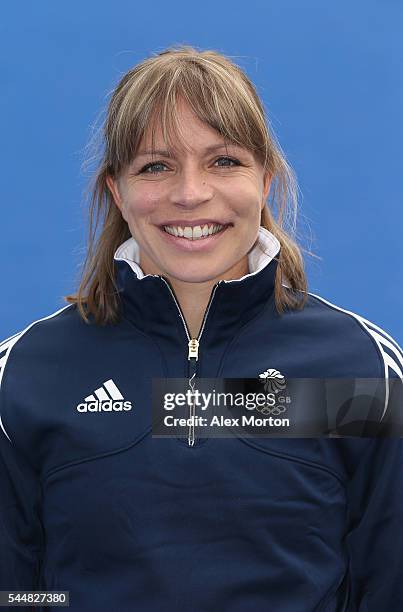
(222, 96)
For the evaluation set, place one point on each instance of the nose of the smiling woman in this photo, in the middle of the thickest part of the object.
(190, 188)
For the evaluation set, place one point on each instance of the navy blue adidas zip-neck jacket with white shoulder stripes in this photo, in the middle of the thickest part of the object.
(92, 504)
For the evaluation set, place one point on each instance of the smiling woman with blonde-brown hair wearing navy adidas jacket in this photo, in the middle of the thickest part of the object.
(192, 277)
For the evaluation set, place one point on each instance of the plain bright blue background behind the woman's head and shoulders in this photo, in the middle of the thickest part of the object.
(329, 74)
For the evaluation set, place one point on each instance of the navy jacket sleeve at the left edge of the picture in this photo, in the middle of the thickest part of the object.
(21, 533)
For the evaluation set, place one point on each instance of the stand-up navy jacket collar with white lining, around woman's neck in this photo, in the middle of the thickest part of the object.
(149, 301)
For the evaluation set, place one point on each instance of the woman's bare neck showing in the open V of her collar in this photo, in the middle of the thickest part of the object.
(193, 298)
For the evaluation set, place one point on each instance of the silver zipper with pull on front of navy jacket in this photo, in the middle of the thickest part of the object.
(192, 352)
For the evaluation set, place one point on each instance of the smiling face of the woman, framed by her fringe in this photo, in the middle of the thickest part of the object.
(173, 201)
